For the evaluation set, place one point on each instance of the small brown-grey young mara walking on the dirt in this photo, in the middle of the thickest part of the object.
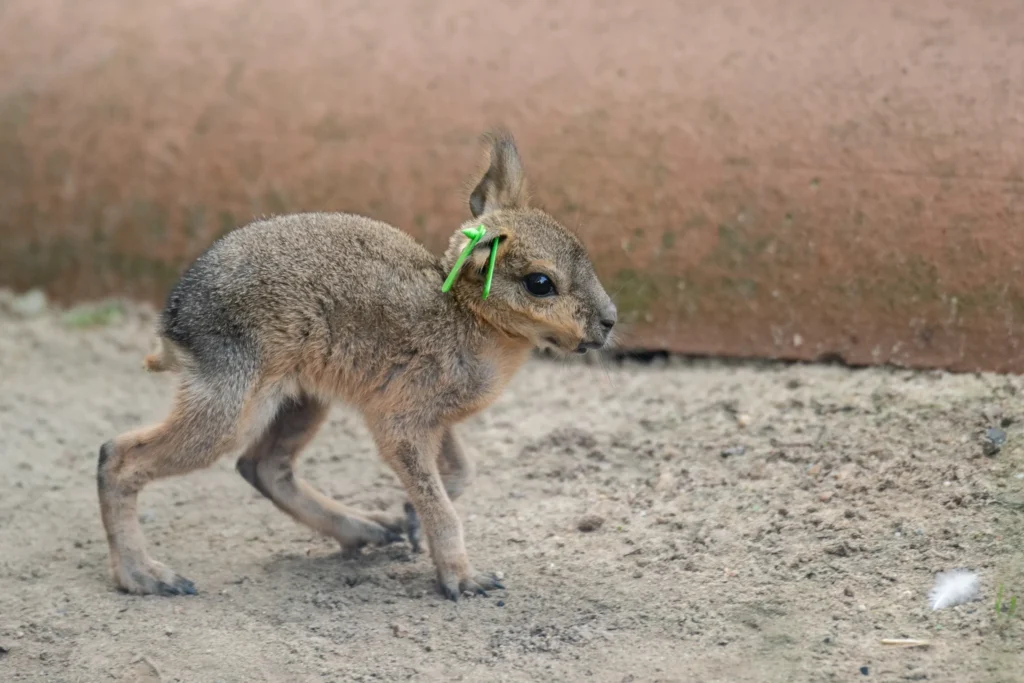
(283, 317)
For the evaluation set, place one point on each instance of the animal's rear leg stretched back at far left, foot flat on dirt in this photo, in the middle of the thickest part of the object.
(201, 428)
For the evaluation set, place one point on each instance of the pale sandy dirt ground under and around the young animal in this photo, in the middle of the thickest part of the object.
(761, 523)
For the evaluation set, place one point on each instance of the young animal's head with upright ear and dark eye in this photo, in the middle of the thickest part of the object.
(544, 287)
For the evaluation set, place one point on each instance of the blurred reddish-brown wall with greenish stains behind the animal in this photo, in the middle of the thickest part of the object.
(789, 179)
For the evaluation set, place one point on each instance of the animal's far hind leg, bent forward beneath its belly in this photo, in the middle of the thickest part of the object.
(269, 466)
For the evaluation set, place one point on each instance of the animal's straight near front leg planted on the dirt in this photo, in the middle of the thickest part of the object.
(414, 459)
